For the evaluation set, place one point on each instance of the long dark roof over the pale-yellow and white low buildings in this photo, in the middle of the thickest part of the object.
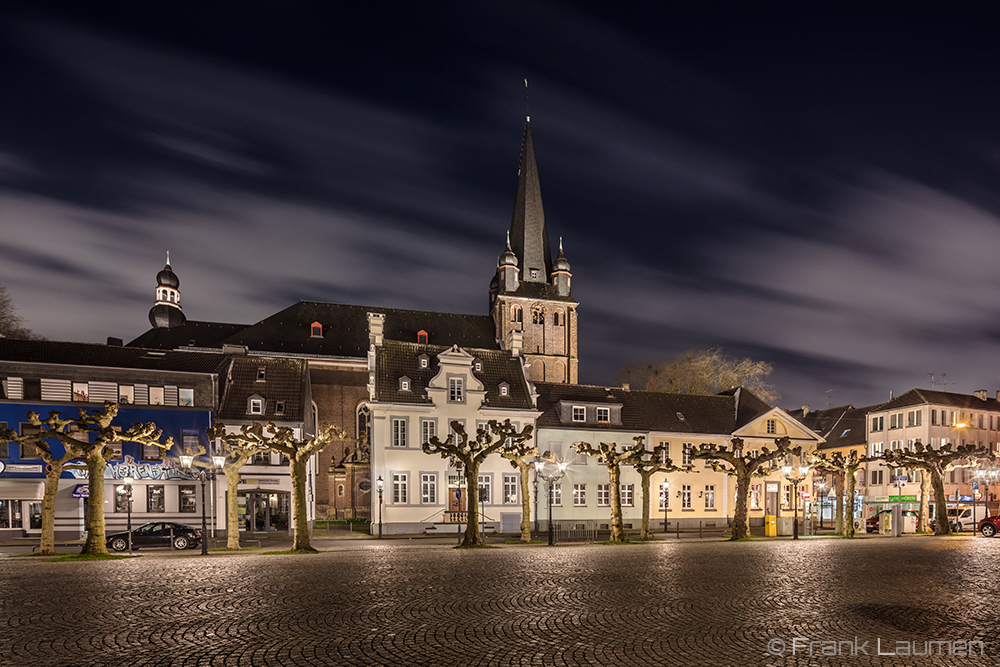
(644, 410)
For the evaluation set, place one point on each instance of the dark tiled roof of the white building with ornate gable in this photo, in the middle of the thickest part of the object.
(394, 360)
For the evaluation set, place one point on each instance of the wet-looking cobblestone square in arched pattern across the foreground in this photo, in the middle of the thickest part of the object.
(404, 603)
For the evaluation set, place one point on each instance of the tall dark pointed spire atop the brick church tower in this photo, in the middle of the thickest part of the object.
(529, 238)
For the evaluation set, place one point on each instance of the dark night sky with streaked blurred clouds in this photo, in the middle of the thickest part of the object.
(819, 189)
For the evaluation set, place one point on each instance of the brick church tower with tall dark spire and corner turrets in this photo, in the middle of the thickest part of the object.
(530, 298)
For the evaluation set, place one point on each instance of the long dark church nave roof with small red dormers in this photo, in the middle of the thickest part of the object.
(345, 330)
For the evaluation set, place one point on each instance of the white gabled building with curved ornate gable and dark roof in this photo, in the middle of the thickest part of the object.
(417, 391)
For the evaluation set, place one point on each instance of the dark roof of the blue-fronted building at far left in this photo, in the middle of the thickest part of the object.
(110, 356)
